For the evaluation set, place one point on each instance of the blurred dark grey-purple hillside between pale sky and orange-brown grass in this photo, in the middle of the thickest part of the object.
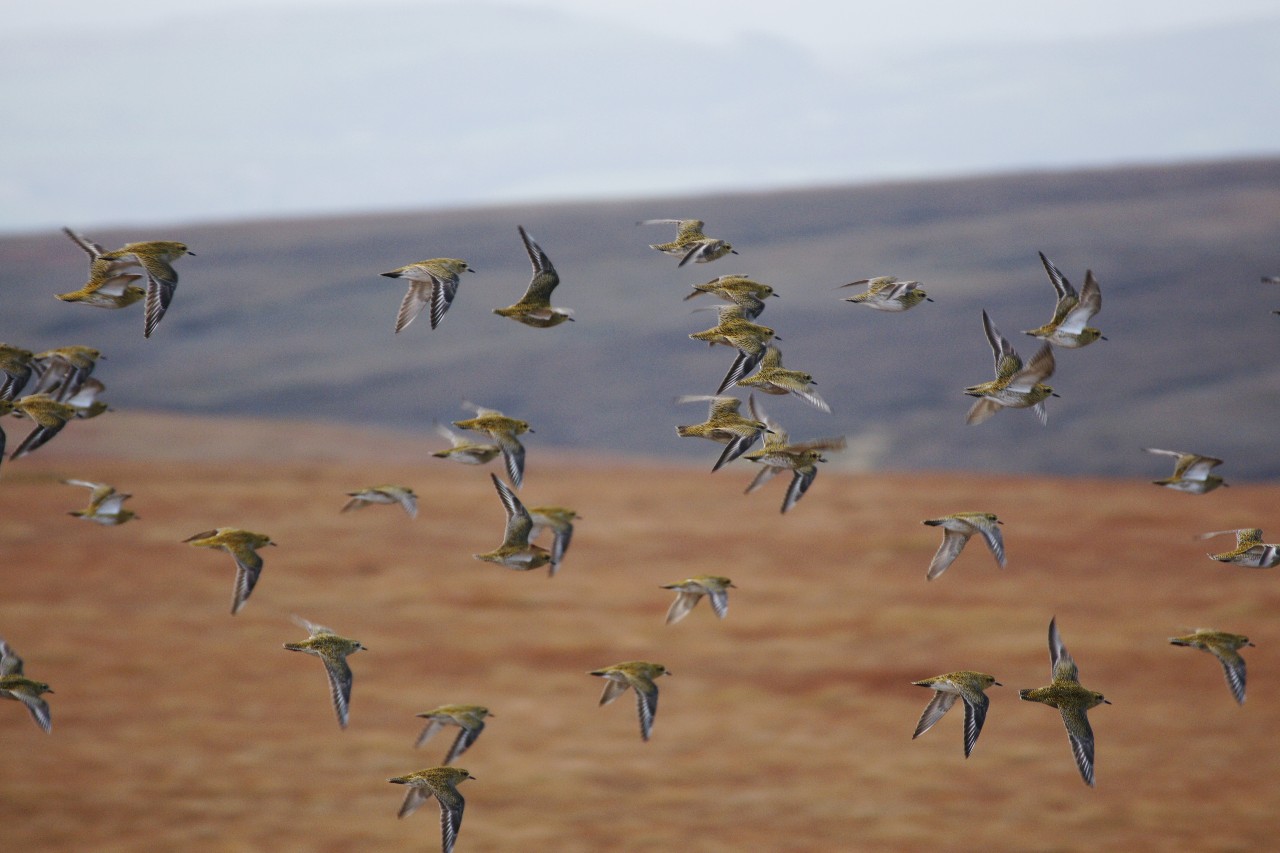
(291, 320)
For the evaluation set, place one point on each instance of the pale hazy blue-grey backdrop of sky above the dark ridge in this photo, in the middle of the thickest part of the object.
(154, 112)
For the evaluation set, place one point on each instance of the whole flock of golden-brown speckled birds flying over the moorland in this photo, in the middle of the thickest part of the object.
(63, 390)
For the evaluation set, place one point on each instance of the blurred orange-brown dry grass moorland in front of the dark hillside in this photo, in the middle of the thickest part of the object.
(787, 727)
